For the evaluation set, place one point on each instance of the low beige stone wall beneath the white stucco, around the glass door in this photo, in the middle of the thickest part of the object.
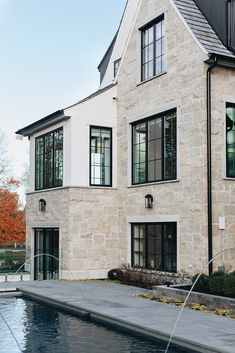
(88, 229)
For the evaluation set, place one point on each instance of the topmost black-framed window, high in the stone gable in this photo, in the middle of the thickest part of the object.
(153, 49)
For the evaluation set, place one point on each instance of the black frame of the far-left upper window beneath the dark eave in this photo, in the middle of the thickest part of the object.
(54, 184)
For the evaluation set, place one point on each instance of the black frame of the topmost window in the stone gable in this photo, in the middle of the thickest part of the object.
(143, 29)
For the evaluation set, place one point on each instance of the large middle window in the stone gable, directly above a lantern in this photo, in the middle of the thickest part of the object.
(154, 148)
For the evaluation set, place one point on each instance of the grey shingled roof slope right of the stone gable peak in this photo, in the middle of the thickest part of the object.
(200, 27)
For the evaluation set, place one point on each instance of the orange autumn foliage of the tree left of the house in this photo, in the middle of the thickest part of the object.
(12, 217)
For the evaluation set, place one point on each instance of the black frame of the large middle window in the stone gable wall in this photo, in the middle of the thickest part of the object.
(146, 121)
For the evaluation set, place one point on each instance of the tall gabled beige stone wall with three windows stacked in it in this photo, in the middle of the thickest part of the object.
(183, 87)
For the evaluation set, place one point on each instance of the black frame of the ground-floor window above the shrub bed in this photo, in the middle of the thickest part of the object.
(146, 251)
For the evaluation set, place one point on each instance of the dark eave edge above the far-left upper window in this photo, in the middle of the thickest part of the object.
(43, 123)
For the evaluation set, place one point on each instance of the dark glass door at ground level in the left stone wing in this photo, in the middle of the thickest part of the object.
(46, 261)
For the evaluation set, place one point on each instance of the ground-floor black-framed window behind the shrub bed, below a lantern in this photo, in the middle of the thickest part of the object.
(154, 246)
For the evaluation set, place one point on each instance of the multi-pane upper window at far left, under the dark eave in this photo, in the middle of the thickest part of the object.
(49, 160)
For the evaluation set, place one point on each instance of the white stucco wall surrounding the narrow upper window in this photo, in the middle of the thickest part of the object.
(98, 111)
